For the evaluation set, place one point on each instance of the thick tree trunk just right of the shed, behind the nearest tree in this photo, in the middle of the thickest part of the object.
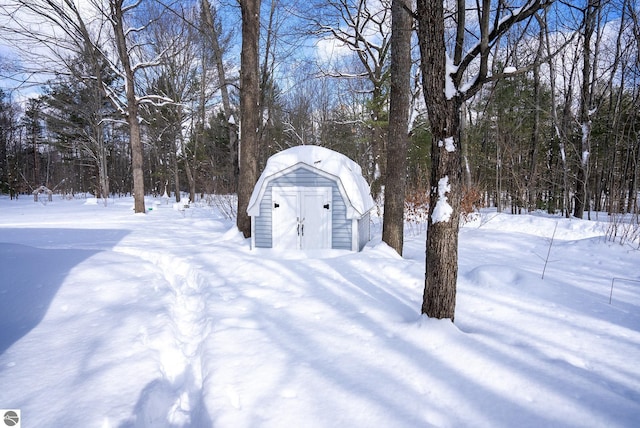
(400, 99)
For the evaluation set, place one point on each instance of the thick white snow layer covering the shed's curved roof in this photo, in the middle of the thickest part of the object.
(326, 160)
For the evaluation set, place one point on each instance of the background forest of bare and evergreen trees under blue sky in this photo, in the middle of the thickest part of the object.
(324, 76)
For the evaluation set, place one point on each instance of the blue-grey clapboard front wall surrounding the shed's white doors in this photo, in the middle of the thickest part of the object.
(301, 177)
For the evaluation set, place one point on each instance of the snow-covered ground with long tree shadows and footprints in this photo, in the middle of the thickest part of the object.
(169, 319)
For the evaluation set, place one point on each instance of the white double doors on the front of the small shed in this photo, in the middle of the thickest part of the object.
(301, 217)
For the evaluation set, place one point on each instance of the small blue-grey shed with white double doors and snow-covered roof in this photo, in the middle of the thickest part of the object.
(310, 197)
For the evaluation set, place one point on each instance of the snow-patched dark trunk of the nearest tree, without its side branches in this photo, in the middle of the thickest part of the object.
(444, 206)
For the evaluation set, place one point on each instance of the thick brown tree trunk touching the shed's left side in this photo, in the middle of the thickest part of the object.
(249, 110)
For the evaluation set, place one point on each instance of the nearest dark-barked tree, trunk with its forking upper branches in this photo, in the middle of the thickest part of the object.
(451, 75)
